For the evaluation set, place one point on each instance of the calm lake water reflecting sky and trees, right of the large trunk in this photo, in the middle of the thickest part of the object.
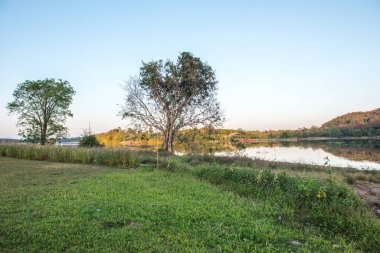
(357, 154)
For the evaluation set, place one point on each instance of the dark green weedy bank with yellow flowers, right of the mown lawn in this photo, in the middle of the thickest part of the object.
(302, 201)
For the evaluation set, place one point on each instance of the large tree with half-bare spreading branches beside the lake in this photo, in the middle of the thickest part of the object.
(170, 95)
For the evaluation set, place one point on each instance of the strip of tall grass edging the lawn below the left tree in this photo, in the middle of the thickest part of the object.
(98, 156)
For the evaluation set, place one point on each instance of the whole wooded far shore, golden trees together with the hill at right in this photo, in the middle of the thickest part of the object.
(366, 124)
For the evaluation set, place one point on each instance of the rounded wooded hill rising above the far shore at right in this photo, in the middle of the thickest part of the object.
(355, 120)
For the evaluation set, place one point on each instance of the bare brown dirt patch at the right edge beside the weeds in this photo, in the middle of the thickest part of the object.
(370, 193)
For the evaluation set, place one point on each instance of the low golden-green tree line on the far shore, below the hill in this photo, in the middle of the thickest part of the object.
(209, 134)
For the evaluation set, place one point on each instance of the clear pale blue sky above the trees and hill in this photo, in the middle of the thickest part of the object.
(280, 64)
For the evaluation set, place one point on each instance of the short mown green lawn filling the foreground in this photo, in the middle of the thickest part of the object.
(61, 207)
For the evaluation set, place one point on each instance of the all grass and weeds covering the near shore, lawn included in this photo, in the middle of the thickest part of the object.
(190, 203)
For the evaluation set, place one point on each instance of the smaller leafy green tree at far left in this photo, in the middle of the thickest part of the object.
(42, 107)
